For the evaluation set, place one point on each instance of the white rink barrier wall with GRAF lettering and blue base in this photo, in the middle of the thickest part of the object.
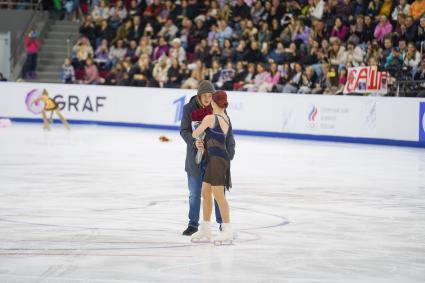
(369, 120)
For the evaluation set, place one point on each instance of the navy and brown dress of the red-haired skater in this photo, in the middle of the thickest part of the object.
(218, 168)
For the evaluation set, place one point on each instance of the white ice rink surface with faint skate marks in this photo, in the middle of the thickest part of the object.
(105, 204)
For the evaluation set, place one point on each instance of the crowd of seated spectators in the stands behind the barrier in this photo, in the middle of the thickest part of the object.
(294, 46)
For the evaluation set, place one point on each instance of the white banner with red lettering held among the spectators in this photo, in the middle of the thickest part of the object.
(366, 80)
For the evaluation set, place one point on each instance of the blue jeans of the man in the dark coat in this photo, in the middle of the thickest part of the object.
(195, 188)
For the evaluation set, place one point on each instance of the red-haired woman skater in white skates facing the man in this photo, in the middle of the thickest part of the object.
(217, 174)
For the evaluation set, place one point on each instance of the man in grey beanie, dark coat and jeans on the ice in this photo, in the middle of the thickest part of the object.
(195, 172)
